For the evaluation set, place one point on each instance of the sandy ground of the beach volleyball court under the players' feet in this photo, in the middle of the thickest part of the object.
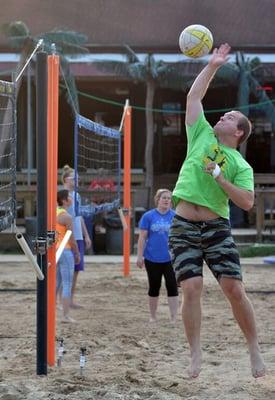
(126, 357)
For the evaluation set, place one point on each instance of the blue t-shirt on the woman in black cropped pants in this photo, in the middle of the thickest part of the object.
(157, 225)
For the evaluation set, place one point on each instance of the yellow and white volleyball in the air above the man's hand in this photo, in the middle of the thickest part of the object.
(195, 41)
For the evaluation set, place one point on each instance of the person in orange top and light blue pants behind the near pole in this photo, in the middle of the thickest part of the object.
(70, 254)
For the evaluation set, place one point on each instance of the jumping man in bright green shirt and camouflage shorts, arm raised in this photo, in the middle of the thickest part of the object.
(212, 173)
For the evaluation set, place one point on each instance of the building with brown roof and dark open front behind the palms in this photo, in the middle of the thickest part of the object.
(149, 27)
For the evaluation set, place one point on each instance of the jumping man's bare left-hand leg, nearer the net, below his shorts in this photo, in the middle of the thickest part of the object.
(191, 316)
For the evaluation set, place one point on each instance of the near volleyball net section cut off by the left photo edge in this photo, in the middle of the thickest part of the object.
(7, 155)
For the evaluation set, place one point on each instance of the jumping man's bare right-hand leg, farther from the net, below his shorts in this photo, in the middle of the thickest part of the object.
(244, 314)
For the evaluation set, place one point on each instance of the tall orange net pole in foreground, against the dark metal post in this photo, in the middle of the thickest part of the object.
(52, 147)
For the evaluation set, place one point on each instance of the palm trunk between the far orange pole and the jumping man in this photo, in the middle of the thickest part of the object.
(149, 168)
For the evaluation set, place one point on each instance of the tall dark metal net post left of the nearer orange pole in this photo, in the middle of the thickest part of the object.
(41, 242)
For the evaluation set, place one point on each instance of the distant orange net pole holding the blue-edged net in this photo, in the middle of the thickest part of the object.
(127, 190)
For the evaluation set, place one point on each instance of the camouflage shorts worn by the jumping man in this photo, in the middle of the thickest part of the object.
(191, 243)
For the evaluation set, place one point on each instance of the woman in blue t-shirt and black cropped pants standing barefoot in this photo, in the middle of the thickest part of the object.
(153, 253)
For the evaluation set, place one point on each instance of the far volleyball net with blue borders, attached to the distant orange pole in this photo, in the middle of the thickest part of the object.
(97, 155)
